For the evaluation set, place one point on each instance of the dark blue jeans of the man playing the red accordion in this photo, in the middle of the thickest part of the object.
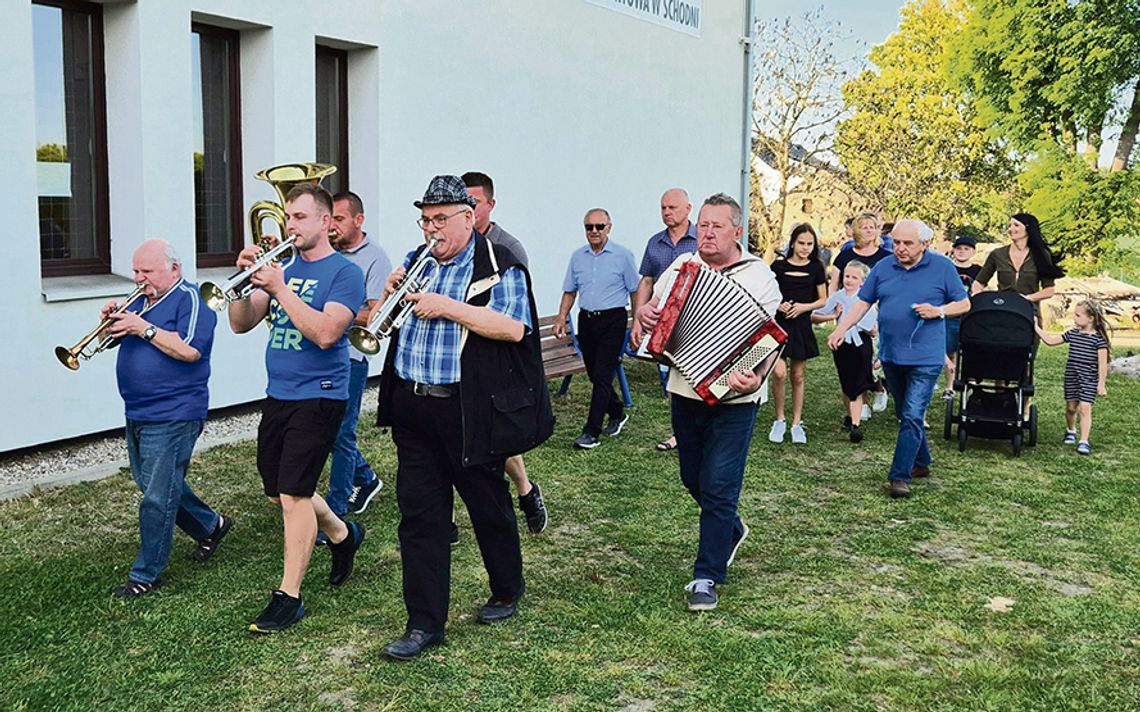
(713, 446)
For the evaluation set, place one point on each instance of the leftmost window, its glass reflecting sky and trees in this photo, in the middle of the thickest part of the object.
(71, 140)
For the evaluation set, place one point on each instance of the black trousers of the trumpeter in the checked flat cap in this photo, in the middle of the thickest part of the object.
(429, 435)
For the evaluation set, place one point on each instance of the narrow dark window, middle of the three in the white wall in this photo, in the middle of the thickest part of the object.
(218, 212)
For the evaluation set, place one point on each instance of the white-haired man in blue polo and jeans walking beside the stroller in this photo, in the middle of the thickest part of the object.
(916, 290)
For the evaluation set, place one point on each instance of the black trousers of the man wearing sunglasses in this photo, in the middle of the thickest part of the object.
(601, 338)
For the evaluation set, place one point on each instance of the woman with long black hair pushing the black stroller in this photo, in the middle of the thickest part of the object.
(1025, 266)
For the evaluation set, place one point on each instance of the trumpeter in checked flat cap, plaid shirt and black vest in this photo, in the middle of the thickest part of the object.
(463, 390)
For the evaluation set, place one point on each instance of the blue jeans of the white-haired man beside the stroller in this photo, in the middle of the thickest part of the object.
(911, 388)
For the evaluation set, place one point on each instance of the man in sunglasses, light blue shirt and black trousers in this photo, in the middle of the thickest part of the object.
(604, 274)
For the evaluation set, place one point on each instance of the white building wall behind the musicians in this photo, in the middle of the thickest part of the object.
(567, 105)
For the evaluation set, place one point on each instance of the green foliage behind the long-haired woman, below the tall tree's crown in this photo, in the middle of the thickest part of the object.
(1087, 215)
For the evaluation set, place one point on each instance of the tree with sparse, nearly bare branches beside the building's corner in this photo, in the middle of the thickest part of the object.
(796, 103)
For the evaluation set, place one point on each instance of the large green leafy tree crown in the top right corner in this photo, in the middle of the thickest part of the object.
(1062, 71)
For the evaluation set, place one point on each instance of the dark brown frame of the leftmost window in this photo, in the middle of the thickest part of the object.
(101, 264)
